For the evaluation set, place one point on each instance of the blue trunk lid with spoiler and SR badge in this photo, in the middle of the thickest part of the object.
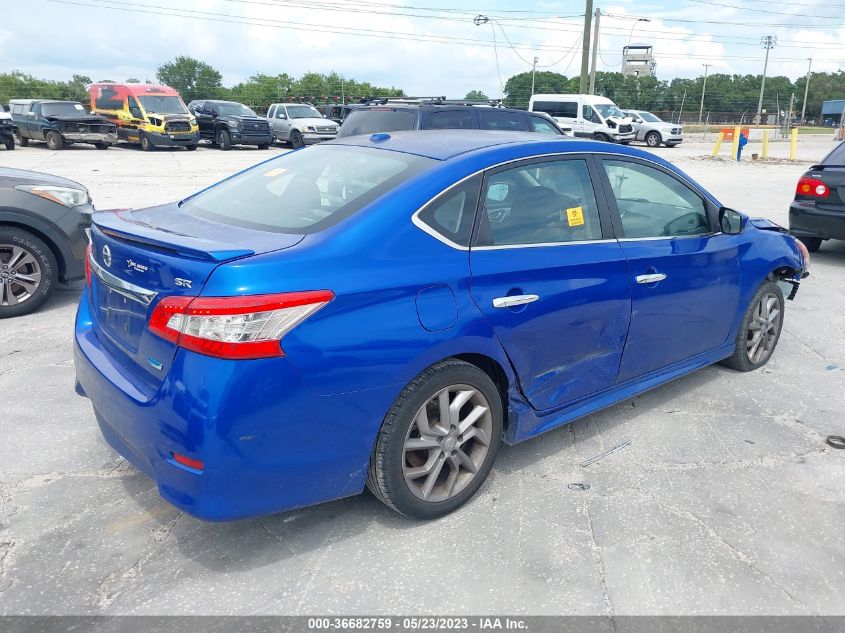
(139, 257)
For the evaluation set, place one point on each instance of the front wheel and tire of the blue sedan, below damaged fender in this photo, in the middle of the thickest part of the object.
(755, 345)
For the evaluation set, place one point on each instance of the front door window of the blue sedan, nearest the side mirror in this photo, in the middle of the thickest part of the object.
(654, 204)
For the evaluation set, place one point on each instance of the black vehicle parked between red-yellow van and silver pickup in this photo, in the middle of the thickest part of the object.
(227, 123)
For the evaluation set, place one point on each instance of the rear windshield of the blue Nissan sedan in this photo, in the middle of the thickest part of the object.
(306, 191)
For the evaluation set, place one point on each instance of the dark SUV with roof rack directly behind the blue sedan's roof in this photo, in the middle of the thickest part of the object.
(440, 114)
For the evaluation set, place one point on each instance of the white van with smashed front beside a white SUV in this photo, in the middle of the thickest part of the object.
(589, 116)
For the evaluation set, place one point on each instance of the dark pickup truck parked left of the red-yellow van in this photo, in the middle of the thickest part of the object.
(60, 123)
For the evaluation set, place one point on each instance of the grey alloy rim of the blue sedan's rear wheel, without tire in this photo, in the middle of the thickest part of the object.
(447, 443)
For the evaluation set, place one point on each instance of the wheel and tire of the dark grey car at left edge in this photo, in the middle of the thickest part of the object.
(22, 254)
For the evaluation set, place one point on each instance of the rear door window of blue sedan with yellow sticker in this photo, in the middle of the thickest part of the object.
(538, 203)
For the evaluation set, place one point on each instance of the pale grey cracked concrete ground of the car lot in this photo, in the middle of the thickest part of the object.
(727, 500)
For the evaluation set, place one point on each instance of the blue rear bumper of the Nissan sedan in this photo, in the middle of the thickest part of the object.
(268, 443)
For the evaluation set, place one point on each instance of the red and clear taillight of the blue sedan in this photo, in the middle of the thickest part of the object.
(234, 327)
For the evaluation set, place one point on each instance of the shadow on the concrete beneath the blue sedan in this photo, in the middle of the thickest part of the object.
(250, 543)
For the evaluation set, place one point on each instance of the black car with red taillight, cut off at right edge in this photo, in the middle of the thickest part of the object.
(818, 211)
